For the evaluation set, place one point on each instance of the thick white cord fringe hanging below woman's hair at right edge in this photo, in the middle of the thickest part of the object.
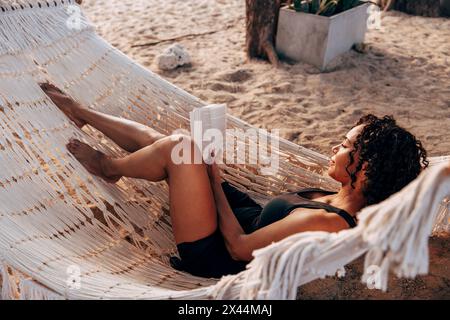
(398, 236)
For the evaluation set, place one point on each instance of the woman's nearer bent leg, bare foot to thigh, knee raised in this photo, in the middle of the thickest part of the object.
(192, 206)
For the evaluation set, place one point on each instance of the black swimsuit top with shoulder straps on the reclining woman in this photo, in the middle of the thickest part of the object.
(282, 205)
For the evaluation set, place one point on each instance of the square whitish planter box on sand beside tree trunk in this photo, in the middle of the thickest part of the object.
(318, 39)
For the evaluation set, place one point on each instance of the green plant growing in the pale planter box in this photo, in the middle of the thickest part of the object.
(324, 7)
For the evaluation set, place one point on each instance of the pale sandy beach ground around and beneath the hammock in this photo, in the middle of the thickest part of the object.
(404, 73)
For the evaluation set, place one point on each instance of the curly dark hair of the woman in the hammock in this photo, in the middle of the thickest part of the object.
(394, 157)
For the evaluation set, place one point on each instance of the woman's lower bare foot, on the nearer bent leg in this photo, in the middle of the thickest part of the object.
(93, 160)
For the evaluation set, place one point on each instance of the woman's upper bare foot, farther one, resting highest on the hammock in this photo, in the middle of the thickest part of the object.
(71, 108)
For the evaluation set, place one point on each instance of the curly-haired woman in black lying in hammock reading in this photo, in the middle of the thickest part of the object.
(217, 227)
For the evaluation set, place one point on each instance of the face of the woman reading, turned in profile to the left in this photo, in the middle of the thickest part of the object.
(341, 157)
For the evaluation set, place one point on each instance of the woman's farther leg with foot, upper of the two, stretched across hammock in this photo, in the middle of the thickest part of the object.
(129, 135)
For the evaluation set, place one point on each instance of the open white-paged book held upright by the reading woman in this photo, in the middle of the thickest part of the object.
(208, 129)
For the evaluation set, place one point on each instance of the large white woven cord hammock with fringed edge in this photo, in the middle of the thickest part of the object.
(65, 234)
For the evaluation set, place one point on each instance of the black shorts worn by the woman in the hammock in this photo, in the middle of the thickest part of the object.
(209, 257)
